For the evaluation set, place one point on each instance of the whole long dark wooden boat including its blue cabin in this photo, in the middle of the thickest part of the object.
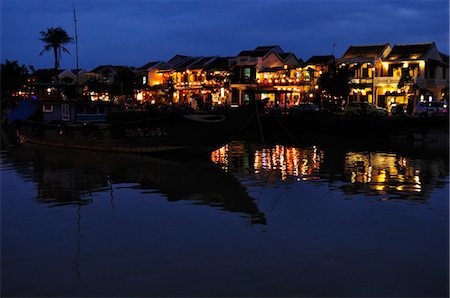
(95, 126)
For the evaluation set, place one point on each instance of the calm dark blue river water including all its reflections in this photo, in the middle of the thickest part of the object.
(254, 221)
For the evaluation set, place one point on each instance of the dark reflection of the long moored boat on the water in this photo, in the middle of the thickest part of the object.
(73, 176)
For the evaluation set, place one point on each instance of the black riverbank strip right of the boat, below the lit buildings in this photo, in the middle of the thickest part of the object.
(430, 133)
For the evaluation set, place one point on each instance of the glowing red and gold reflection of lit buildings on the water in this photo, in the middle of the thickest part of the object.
(372, 173)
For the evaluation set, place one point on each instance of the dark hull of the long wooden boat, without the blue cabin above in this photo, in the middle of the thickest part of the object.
(172, 132)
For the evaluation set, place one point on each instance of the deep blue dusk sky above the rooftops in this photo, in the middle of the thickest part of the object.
(133, 32)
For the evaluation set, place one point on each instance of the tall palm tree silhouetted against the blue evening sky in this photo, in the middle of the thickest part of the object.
(55, 39)
